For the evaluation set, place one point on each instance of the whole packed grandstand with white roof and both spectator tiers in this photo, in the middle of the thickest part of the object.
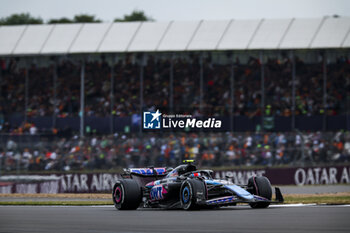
(273, 77)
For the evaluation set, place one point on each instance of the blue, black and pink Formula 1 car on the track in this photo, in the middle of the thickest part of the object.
(187, 188)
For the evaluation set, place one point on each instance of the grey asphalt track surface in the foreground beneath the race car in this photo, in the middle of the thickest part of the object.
(228, 219)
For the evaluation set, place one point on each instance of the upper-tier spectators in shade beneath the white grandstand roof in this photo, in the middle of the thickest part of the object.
(65, 101)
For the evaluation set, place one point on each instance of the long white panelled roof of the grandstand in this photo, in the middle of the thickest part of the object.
(269, 34)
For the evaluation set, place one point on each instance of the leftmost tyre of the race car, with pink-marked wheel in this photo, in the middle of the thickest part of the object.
(126, 194)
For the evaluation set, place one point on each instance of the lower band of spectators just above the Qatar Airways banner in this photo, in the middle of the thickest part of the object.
(210, 149)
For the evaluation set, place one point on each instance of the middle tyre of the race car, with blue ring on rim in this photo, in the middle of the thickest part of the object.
(191, 193)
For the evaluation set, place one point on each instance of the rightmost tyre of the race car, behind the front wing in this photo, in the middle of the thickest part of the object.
(260, 185)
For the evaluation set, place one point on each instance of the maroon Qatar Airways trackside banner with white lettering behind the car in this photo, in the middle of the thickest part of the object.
(103, 182)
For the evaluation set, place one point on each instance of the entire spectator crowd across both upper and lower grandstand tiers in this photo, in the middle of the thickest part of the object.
(168, 149)
